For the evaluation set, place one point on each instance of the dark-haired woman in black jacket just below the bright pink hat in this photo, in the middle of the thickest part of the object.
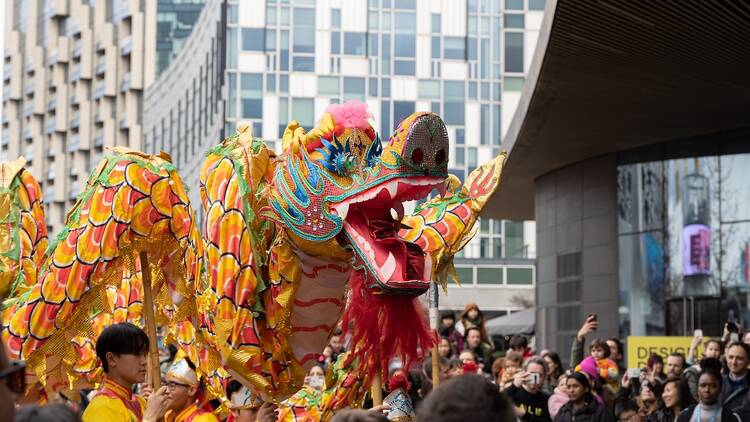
(582, 407)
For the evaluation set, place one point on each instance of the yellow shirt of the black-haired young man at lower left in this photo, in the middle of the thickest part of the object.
(114, 403)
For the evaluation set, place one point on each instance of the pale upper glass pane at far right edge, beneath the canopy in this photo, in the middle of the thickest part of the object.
(735, 196)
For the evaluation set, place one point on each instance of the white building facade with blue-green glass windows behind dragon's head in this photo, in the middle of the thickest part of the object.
(464, 60)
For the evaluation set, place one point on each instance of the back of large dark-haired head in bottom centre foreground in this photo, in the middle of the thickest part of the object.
(466, 398)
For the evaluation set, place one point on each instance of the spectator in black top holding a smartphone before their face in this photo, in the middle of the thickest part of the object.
(526, 391)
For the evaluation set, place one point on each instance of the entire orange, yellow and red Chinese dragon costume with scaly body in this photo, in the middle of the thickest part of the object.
(293, 244)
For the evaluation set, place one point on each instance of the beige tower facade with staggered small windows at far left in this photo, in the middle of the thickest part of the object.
(73, 80)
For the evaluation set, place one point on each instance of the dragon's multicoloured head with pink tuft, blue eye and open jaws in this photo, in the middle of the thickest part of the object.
(339, 191)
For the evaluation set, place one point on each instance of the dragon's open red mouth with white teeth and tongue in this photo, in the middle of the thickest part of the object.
(371, 223)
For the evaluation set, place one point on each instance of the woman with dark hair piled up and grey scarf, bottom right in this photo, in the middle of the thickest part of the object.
(709, 407)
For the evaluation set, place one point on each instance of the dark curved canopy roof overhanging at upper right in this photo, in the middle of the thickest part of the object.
(611, 75)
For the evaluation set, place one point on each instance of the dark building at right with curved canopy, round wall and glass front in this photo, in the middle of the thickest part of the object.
(631, 150)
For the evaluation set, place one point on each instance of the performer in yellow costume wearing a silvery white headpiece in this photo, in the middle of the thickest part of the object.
(184, 386)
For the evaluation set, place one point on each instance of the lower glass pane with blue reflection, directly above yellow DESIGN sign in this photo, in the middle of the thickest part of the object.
(642, 284)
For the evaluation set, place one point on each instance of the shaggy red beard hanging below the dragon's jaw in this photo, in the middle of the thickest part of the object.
(384, 327)
